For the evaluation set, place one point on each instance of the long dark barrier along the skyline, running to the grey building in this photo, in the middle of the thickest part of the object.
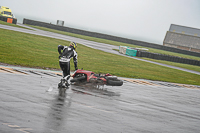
(109, 37)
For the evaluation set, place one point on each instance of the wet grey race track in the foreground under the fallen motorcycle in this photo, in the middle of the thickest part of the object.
(29, 103)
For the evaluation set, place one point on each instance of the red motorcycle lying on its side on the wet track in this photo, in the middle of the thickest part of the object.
(84, 76)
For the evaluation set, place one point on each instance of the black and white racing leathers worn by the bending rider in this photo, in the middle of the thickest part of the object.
(66, 53)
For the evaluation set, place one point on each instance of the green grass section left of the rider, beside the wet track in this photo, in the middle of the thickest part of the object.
(27, 50)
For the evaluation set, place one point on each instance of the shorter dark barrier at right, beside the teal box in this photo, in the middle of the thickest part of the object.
(167, 58)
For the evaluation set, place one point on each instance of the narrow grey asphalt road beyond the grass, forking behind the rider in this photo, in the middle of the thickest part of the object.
(100, 46)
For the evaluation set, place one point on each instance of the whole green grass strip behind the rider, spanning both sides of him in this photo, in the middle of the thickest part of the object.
(37, 51)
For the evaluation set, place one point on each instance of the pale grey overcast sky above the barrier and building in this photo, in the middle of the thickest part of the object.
(144, 20)
